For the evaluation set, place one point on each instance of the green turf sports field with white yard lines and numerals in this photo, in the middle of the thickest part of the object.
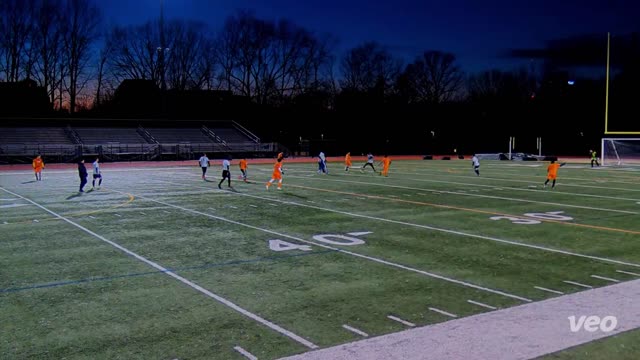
(160, 264)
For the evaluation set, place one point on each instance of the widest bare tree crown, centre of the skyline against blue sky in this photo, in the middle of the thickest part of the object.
(270, 62)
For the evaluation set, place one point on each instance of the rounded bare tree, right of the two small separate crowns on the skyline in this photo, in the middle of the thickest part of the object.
(434, 77)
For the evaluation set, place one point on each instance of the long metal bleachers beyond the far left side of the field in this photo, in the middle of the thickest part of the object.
(134, 141)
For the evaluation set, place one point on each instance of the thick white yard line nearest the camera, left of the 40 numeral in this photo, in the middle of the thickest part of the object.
(193, 285)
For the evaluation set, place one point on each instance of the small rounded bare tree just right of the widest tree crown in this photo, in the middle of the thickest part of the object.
(369, 67)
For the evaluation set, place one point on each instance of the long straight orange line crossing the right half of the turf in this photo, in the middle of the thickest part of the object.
(424, 203)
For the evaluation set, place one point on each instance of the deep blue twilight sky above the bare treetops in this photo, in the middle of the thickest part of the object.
(479, 32)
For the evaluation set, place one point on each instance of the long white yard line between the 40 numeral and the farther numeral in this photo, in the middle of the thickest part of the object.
(460, 233)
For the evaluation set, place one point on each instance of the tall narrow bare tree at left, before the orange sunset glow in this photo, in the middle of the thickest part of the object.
(80, 31)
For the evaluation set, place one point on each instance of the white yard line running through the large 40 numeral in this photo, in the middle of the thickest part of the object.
(370, 258)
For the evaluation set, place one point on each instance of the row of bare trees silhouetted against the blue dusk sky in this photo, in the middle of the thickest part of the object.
(65, 46)
